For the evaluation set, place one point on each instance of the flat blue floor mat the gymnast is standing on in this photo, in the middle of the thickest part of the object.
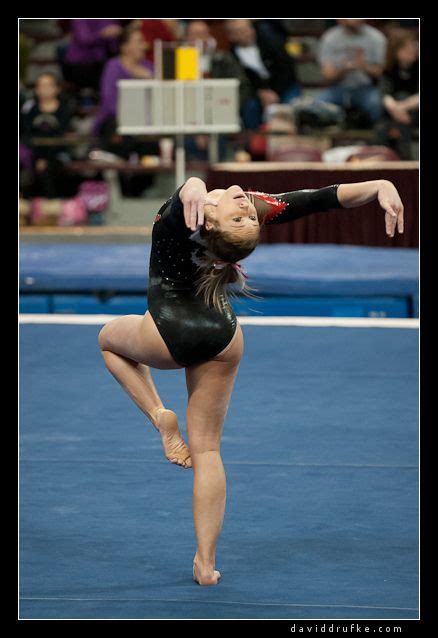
(320, 447)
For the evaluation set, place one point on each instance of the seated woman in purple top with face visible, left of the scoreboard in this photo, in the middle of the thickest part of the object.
(129, 64)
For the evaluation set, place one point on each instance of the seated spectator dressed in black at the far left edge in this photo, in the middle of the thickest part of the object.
(47, 116)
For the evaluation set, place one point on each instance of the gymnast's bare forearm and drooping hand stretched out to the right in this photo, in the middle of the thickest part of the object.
(353, 195)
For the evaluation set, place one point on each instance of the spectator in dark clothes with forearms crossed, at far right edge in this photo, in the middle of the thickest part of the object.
(399, 85)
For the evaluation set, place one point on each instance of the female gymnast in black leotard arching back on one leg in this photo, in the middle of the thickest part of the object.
(198, 239)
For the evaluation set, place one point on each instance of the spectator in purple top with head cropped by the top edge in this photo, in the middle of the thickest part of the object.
(92, 43)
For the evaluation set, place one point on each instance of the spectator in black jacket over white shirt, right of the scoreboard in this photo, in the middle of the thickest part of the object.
(268, 68)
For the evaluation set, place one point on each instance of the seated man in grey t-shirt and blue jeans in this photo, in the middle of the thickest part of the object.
(352, 58)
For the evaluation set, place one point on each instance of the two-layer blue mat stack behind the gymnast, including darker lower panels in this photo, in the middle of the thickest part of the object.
(313, 280)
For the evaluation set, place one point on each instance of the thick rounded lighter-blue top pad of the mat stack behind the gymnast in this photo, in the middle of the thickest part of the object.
(273, 269)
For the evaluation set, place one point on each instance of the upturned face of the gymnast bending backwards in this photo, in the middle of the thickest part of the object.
(231, 210)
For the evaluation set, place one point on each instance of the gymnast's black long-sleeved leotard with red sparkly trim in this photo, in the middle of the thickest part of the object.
(192, 331)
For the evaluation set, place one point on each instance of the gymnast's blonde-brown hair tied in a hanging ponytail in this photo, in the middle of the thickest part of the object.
(217, 285)
